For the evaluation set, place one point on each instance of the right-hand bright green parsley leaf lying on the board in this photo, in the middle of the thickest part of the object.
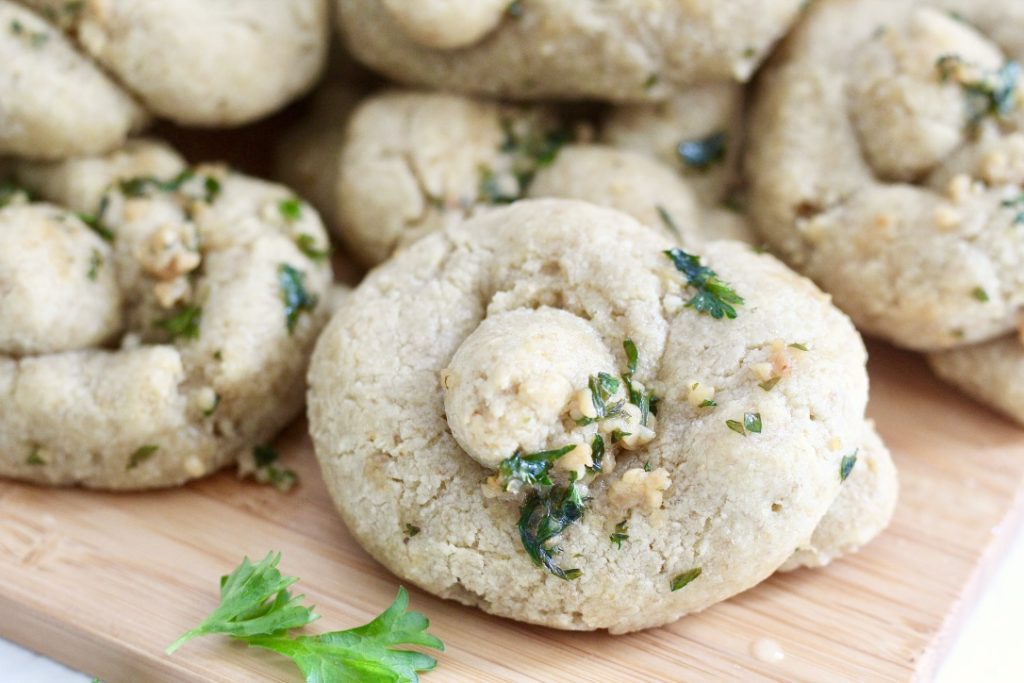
(365, 654)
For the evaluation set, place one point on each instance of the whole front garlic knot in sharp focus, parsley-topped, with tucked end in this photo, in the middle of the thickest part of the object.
(484, 409)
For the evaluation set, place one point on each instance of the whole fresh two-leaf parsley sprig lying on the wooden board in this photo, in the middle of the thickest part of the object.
(258, 608)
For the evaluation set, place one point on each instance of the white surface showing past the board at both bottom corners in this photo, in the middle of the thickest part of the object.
(990, 649)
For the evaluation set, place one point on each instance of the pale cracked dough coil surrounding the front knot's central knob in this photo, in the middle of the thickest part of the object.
(737, 506)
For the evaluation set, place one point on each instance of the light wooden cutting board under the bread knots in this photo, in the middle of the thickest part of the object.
(105, 582)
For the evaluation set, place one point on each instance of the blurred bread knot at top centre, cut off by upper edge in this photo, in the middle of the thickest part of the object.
(618, 51)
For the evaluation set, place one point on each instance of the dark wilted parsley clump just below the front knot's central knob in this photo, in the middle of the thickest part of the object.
(544, 517)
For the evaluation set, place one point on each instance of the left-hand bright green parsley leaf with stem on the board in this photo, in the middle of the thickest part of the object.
(254, 602)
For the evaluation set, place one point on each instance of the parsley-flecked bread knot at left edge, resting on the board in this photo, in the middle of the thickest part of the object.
(97, 390)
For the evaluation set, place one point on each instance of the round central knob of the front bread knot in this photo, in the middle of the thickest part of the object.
(513, 386)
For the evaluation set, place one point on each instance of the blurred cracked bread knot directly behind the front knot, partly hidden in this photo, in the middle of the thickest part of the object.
(410, 163)
